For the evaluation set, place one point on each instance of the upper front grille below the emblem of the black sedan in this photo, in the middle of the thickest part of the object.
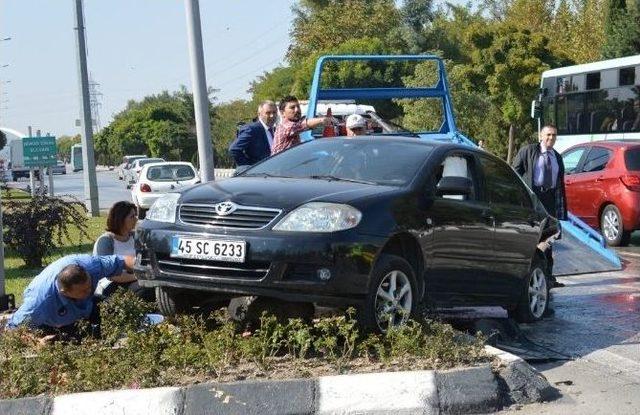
(244, 217)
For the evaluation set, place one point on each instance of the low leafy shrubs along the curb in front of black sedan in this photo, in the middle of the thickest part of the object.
(195, 349)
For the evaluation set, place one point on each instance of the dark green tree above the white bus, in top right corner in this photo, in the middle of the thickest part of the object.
(622, 30)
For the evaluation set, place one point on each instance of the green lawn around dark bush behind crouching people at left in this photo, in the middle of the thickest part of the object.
(17, 276)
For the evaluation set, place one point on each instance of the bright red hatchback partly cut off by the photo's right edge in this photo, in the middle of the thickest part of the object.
(602, 179)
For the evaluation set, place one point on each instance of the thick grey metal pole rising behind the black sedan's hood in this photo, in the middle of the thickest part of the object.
(200, 95)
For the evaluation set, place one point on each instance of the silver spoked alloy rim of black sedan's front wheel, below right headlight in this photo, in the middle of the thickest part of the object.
(394, 300)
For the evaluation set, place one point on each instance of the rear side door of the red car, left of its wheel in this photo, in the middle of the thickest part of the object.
(589, 184)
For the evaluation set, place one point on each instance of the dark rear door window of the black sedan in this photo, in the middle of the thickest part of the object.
(501, 185)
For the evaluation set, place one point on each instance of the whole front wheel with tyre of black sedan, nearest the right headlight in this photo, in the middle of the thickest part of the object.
(400, 302)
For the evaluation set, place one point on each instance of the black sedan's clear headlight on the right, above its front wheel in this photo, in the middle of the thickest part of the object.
(320, 217)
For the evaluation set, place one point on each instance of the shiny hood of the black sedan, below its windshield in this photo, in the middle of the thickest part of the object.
(280, 193)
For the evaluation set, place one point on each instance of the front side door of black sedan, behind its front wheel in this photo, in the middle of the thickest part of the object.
(462, 251)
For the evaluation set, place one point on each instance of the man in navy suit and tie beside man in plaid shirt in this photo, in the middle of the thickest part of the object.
(254, 140)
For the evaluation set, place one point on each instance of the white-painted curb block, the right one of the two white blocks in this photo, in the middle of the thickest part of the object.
(390, 392)
